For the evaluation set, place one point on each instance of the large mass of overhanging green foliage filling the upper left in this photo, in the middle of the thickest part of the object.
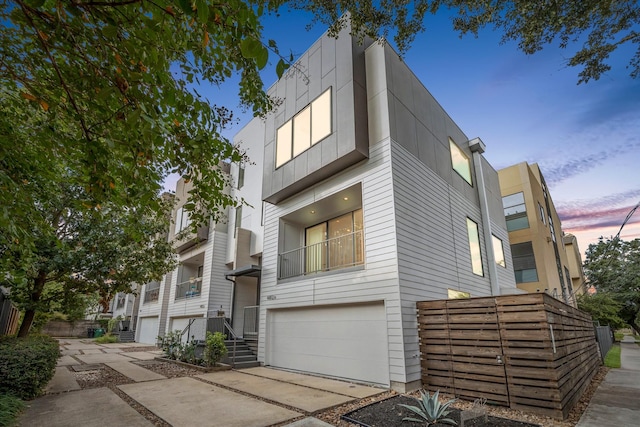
(110, 87)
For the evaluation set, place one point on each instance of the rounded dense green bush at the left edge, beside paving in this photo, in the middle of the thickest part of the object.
(27, 364)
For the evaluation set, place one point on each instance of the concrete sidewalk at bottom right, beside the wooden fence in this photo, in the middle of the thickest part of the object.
(617, 399)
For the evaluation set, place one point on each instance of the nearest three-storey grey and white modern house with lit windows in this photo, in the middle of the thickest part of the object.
(376, 200)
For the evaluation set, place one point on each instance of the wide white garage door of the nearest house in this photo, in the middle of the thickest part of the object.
(341, 341)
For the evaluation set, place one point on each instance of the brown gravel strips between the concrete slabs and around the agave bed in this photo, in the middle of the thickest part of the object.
(107, 377)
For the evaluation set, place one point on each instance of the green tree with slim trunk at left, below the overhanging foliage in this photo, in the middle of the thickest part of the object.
(77, 252)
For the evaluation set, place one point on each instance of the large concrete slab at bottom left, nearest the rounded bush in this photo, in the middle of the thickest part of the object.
(91, 407)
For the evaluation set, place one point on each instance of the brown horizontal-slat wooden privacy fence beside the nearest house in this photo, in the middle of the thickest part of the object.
(529, 352)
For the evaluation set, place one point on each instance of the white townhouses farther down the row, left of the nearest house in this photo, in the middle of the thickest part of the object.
(202, 286)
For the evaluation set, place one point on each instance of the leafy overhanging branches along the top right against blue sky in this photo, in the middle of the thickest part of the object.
(599, 26)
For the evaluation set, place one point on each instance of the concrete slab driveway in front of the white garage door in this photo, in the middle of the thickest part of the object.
(252, 397)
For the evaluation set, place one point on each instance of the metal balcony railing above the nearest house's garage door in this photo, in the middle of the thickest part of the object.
(337, 253)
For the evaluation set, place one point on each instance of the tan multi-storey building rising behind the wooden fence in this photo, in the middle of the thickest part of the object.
(539, 255)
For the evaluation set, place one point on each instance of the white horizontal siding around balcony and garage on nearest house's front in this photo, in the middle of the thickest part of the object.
(378, 281)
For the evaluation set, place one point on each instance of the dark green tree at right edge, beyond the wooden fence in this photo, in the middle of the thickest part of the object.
(613, 267)
